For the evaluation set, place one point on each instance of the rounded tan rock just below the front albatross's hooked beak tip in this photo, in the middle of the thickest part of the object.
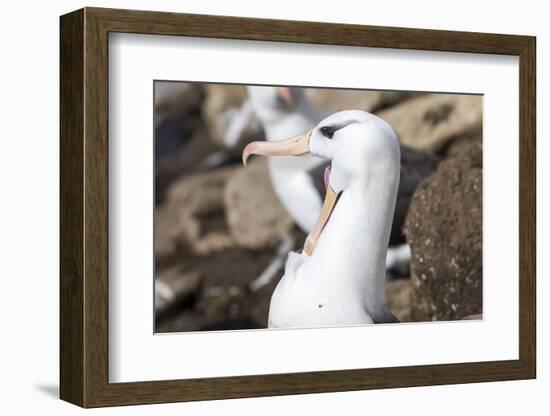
(255, 216)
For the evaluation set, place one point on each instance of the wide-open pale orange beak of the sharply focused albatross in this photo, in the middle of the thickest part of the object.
(295, 146)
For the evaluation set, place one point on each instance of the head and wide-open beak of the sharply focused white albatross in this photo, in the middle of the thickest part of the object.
(358, 144)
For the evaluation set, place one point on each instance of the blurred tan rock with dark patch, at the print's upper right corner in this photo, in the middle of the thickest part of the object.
(429, 121)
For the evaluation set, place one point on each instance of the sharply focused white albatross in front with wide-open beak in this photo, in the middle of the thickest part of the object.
(338, 279)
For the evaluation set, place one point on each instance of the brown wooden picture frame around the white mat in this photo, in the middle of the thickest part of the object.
(84, 207)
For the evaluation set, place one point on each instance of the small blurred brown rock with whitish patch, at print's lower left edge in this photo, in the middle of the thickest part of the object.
(173, 288)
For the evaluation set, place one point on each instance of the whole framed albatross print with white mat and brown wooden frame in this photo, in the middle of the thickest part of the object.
(255, 207)
